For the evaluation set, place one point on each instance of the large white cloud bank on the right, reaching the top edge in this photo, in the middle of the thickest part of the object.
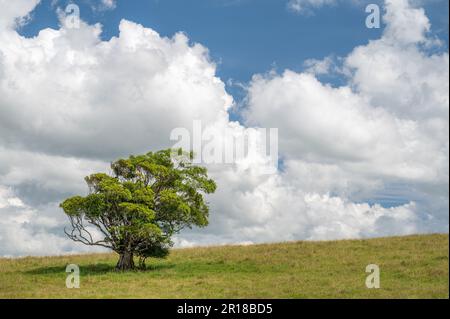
(388, 126)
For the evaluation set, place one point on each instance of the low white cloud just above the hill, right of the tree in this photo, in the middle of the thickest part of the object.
(276, 209)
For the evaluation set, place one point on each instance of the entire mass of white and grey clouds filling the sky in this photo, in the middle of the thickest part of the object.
(71, 103)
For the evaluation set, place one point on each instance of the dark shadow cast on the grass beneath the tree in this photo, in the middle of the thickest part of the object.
(95, 269)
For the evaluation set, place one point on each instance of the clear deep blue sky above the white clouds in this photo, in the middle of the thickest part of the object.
(245, 37)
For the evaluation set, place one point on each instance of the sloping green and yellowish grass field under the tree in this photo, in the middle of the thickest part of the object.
(411, 267)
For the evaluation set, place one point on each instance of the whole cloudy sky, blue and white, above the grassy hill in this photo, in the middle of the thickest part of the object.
(362, 114)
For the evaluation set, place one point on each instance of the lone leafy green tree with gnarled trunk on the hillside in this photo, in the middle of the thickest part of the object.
(147, 199)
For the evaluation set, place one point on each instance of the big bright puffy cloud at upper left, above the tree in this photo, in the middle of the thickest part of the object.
(108, 98)
